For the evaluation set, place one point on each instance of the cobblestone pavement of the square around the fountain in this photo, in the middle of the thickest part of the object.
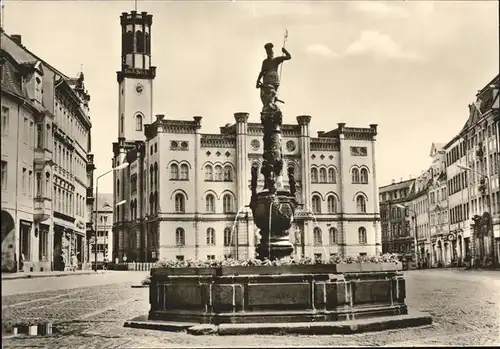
(465, 306)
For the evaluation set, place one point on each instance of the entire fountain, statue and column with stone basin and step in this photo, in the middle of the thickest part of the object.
(269, 298)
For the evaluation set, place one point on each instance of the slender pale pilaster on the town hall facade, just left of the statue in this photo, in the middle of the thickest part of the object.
(242, 183)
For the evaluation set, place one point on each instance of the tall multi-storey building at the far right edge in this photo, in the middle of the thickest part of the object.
(473, 162)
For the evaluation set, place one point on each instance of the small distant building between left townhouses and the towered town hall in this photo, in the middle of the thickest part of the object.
(104, 229)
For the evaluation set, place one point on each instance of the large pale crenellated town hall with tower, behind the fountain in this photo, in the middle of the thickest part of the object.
(186, 190)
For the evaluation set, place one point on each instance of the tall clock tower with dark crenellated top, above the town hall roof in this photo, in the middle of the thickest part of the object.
(135, 79)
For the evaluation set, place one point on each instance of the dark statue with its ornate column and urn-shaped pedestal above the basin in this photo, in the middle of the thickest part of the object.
(273, 208)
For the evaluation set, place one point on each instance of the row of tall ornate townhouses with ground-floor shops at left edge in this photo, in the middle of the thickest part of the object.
(46, 162)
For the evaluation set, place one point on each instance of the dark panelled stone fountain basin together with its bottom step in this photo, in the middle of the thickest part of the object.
(333, 298)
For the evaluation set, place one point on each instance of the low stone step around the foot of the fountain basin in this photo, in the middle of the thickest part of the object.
(414, 318)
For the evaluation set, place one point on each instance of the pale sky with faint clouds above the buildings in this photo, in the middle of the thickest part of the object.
(411, 67)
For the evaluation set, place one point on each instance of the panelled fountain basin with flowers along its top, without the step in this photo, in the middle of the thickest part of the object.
(283, 290)
